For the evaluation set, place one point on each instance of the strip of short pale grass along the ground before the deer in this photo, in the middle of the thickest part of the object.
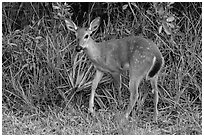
(74, 122)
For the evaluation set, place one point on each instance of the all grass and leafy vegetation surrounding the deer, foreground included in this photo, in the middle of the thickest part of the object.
(46, 84)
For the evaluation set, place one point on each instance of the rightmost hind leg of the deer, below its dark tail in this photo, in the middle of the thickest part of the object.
(156, 97)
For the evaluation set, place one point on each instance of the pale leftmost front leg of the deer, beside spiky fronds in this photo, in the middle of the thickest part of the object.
(95, 82)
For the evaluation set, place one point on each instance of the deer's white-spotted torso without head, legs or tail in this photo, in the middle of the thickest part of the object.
(115, 55)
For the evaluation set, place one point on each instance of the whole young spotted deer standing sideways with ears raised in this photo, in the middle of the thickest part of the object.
(137, 54)
